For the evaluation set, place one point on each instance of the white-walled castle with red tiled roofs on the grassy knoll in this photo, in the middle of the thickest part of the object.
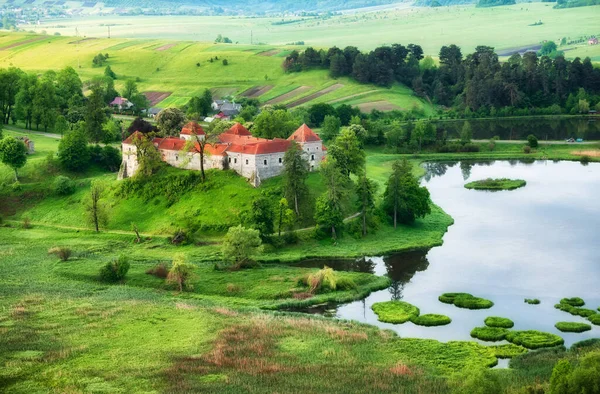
(253, 158)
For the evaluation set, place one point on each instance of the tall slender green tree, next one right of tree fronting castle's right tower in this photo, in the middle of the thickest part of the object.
(329, 207)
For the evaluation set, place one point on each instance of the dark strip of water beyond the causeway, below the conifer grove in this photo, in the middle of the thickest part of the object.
(587, 128)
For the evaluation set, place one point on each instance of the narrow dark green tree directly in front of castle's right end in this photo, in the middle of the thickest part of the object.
(295, 172)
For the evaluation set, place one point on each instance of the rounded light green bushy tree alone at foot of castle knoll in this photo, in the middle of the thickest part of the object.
(240, 244)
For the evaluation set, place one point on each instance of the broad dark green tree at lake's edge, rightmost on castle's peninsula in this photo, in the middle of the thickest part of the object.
(404, 200)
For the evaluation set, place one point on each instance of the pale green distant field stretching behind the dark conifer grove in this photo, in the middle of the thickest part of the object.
(467, 26)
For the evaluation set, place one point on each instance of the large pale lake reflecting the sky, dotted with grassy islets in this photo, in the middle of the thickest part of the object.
(540, 241)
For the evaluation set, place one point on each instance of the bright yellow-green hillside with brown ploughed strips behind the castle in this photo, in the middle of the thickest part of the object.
(171, 66)
